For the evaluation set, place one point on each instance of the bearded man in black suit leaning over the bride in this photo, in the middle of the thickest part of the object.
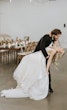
(44, 42)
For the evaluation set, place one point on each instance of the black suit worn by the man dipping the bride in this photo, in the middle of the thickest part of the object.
(44, 42)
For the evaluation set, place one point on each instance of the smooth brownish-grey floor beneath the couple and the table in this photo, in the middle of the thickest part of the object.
(55, 101)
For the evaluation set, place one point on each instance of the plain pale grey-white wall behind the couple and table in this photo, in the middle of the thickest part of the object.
(22, 18)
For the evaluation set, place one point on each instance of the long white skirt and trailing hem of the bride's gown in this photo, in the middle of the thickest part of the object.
(31, 77)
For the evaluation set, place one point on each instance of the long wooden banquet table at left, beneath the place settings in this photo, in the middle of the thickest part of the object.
(9, 55)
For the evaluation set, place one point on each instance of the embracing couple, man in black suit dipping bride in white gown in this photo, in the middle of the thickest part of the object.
(33, 73)
